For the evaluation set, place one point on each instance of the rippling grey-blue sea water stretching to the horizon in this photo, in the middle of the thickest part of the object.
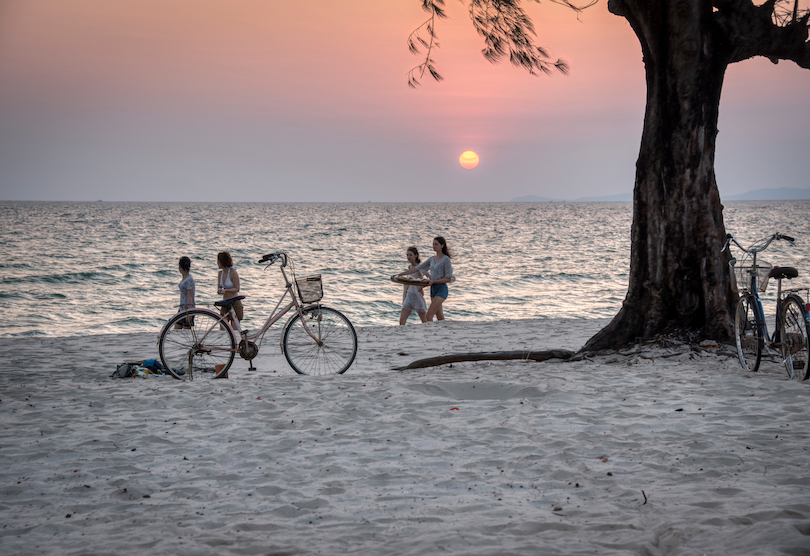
(71, 269)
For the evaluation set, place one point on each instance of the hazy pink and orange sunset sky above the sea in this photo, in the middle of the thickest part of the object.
(269, 100)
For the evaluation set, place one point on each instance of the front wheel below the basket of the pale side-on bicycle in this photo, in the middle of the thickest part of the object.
(323, 342)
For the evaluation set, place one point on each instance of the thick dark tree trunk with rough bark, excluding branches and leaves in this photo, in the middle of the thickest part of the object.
(678, 277)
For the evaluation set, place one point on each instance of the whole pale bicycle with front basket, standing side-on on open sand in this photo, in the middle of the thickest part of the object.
(316, 340)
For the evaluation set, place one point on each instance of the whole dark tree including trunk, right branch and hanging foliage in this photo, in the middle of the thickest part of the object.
(678, 278)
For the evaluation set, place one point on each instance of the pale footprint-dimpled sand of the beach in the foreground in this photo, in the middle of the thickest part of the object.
(668, 451)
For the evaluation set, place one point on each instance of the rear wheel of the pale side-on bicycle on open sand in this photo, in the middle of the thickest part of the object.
(212, 349)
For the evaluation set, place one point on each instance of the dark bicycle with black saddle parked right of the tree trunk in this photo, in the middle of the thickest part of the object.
(792, 324)
